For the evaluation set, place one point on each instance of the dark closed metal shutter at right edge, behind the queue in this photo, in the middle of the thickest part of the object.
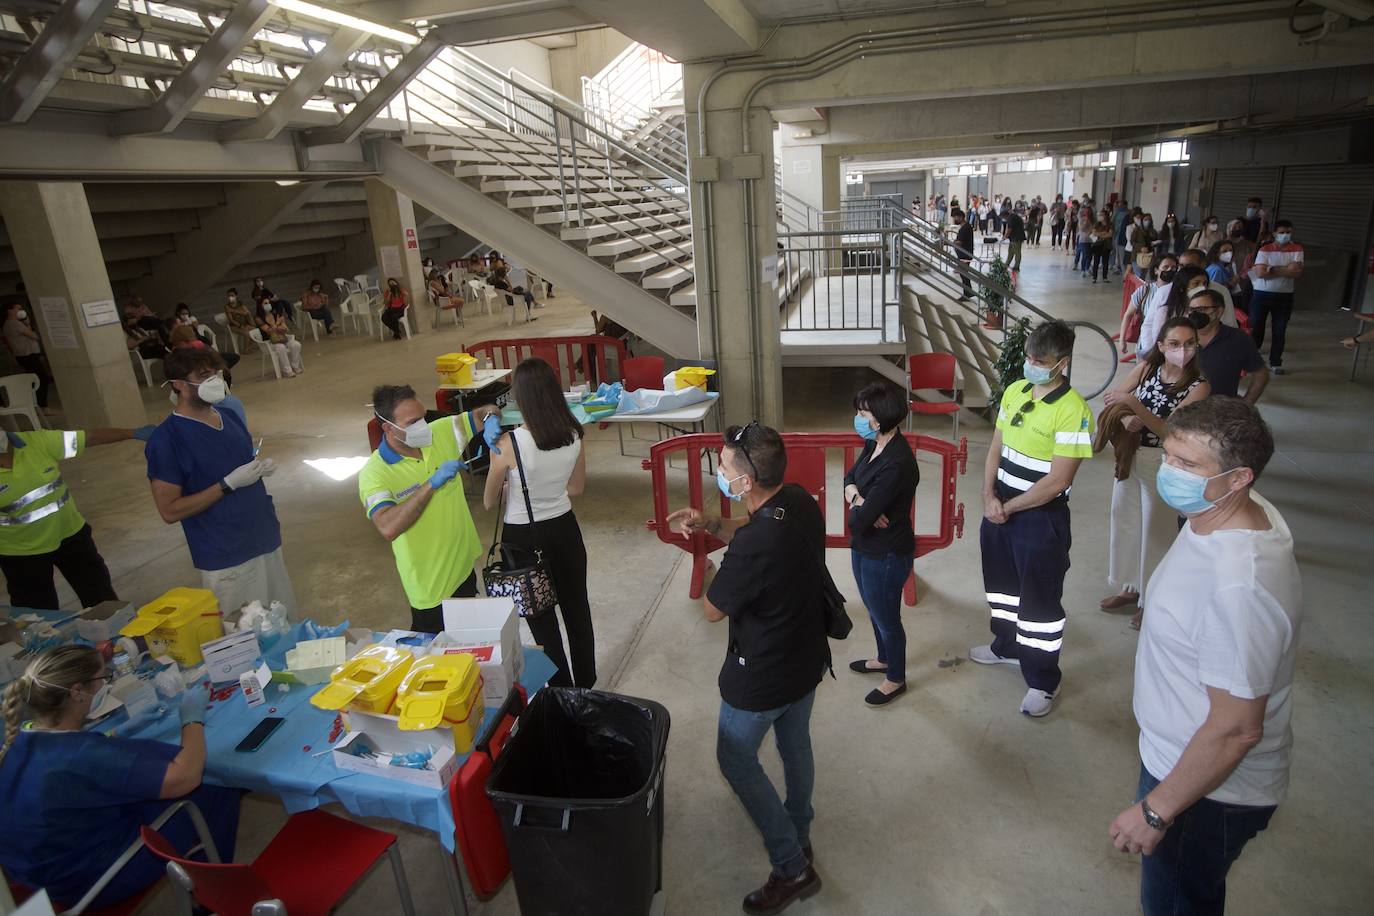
(1329, 205)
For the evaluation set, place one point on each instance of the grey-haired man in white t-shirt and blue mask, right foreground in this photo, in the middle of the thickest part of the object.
(1214, 669)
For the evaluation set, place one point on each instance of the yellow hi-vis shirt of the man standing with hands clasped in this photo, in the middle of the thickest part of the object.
(1034, 432)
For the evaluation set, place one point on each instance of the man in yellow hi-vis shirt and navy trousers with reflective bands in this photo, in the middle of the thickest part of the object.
(1044, 435)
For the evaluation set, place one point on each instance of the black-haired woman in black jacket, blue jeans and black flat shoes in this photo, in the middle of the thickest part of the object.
(880, 491)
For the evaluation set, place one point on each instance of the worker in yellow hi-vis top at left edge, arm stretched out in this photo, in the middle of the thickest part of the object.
(41, 527)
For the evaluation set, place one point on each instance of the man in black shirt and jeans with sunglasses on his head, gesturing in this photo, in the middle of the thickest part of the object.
(772, 588)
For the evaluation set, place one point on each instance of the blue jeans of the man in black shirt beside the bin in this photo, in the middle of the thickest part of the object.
(785, 826)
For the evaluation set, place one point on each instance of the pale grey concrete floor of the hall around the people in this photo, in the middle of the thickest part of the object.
(946, 803)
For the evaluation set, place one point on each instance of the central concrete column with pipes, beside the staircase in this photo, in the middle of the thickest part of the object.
(743, 330)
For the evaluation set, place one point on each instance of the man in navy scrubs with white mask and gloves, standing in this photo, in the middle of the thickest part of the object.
(205, 474)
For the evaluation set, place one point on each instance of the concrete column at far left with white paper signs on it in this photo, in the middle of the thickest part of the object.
(60, 259)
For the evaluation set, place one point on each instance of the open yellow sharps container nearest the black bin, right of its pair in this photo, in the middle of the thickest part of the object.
(442, 690)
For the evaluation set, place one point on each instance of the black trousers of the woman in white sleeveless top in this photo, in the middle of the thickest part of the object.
(565, 556)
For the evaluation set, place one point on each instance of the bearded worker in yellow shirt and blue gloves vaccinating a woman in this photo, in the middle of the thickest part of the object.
(412, 491)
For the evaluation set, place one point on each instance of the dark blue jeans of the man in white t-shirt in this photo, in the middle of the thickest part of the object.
(1186, 873)
